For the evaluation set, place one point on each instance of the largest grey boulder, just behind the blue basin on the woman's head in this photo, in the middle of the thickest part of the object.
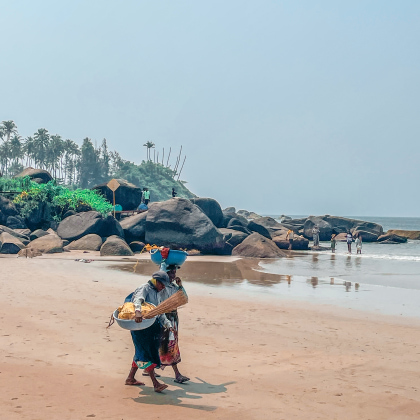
(181, 224)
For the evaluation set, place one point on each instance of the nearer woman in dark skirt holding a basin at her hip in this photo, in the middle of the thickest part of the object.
(147, 341)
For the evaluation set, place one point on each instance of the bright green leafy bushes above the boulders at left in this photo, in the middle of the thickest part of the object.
(59, 199)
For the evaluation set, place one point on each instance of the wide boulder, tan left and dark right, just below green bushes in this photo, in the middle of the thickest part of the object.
(82, 224)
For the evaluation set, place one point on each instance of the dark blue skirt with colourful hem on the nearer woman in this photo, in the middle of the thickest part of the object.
(146, 344)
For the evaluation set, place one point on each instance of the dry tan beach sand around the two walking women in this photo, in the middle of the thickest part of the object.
(247, 359)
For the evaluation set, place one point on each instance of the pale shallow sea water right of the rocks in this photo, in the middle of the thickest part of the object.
(384, 278)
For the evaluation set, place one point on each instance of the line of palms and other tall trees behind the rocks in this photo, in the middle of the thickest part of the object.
(79, 166)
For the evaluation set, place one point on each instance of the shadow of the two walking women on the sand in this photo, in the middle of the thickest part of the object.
(189, 390)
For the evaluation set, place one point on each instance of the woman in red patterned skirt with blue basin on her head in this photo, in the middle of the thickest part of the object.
(169, 349)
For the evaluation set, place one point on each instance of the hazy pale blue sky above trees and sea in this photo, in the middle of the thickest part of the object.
(294, 107)
